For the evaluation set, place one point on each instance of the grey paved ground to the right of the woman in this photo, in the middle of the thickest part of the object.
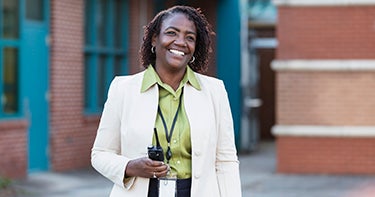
(260, 180)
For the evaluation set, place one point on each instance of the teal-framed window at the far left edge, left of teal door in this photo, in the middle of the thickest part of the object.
(9, 54)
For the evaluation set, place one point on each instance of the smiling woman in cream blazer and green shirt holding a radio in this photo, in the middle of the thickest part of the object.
(189, 112)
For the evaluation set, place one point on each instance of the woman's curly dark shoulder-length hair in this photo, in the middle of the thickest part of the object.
(203, 41)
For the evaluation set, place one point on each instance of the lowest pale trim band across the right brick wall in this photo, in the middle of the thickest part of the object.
(323, 131)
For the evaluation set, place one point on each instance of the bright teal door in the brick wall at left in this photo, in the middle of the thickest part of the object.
(34, 64)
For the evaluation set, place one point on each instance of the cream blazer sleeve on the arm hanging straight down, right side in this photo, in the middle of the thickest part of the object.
(227, 164)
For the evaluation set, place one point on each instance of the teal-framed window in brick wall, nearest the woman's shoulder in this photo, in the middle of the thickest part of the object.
(105, 49)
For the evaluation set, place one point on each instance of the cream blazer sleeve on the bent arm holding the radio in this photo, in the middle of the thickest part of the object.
(106, 155)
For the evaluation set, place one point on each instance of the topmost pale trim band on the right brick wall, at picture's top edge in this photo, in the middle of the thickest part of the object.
(323, 2)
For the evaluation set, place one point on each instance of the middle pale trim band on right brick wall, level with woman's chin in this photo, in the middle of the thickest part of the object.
(323, 65)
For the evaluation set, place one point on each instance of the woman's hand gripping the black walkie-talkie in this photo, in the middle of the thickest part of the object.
(146, 168)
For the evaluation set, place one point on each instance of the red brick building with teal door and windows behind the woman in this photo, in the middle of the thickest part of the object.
(57, 60)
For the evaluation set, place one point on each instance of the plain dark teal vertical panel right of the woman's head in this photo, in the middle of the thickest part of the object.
(228, 56)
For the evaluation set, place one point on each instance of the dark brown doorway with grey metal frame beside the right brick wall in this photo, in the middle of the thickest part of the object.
(258, 92)
